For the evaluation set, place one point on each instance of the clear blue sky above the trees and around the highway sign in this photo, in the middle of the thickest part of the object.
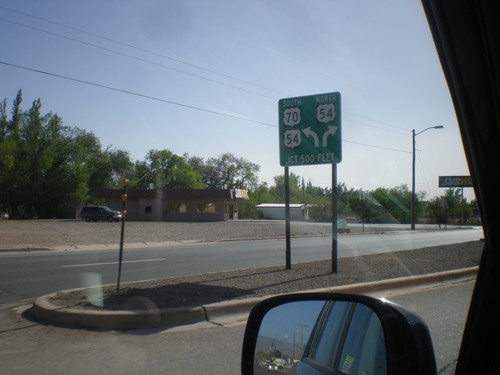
(204, 77)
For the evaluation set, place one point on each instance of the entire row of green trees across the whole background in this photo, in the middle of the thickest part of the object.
(48, 169)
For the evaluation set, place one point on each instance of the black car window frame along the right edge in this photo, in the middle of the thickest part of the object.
(467, 38)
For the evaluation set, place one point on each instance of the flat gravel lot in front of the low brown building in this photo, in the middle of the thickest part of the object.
(73, 232)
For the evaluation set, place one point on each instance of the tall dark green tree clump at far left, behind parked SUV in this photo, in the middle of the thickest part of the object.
(50, 169)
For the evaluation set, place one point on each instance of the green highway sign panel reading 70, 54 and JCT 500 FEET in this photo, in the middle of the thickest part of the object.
(309, 130)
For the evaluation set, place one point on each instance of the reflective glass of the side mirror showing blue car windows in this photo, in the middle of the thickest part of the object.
(334, 335)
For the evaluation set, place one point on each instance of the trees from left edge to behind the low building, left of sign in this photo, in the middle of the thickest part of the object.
(47, 169)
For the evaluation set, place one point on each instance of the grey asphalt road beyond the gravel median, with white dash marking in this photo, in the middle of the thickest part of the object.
(29, 275)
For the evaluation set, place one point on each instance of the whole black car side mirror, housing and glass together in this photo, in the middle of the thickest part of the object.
(317, 333)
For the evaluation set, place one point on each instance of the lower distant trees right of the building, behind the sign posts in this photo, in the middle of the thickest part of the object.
(381, 205)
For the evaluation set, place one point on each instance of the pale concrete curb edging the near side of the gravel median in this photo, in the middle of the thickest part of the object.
(219, 313)
